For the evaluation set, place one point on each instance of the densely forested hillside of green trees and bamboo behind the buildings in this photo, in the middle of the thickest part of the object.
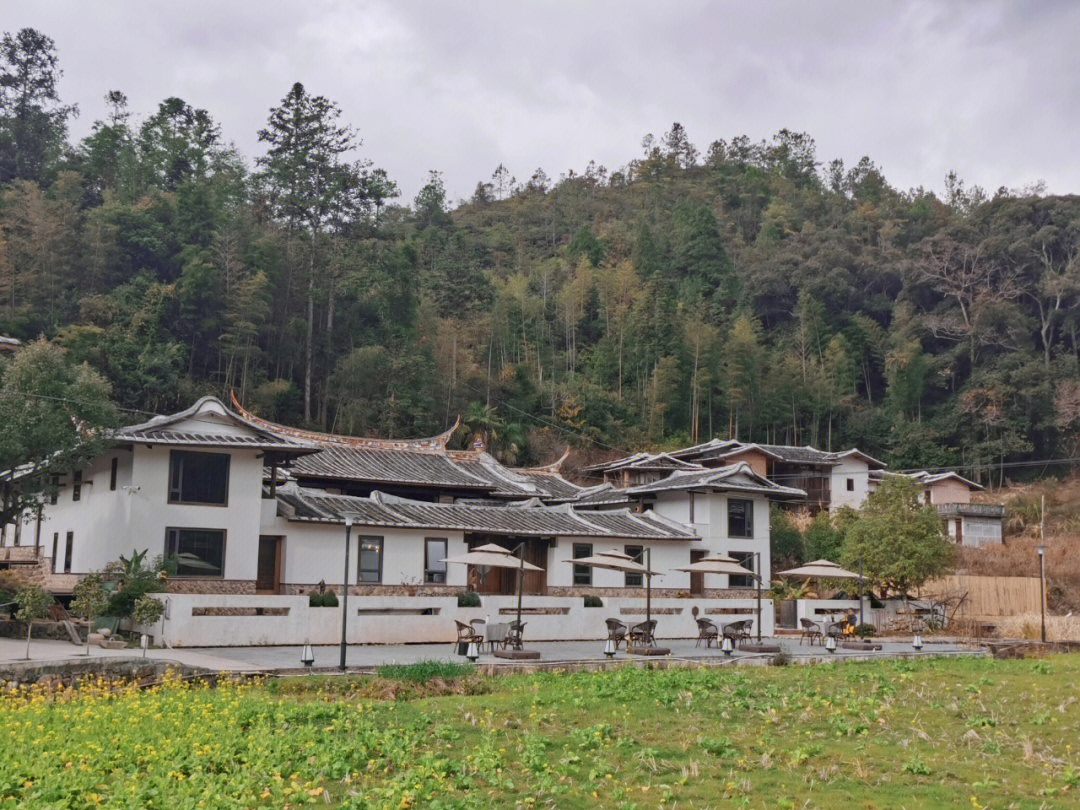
(751, 290)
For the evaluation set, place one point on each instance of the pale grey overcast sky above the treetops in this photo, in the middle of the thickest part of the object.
(989, 89)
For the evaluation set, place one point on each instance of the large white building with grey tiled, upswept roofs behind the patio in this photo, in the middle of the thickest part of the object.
(247, 509)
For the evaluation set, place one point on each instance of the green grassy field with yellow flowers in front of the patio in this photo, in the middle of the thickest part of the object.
(934, 734)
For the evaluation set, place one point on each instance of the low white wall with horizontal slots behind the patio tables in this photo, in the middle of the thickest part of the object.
(399, 620)
